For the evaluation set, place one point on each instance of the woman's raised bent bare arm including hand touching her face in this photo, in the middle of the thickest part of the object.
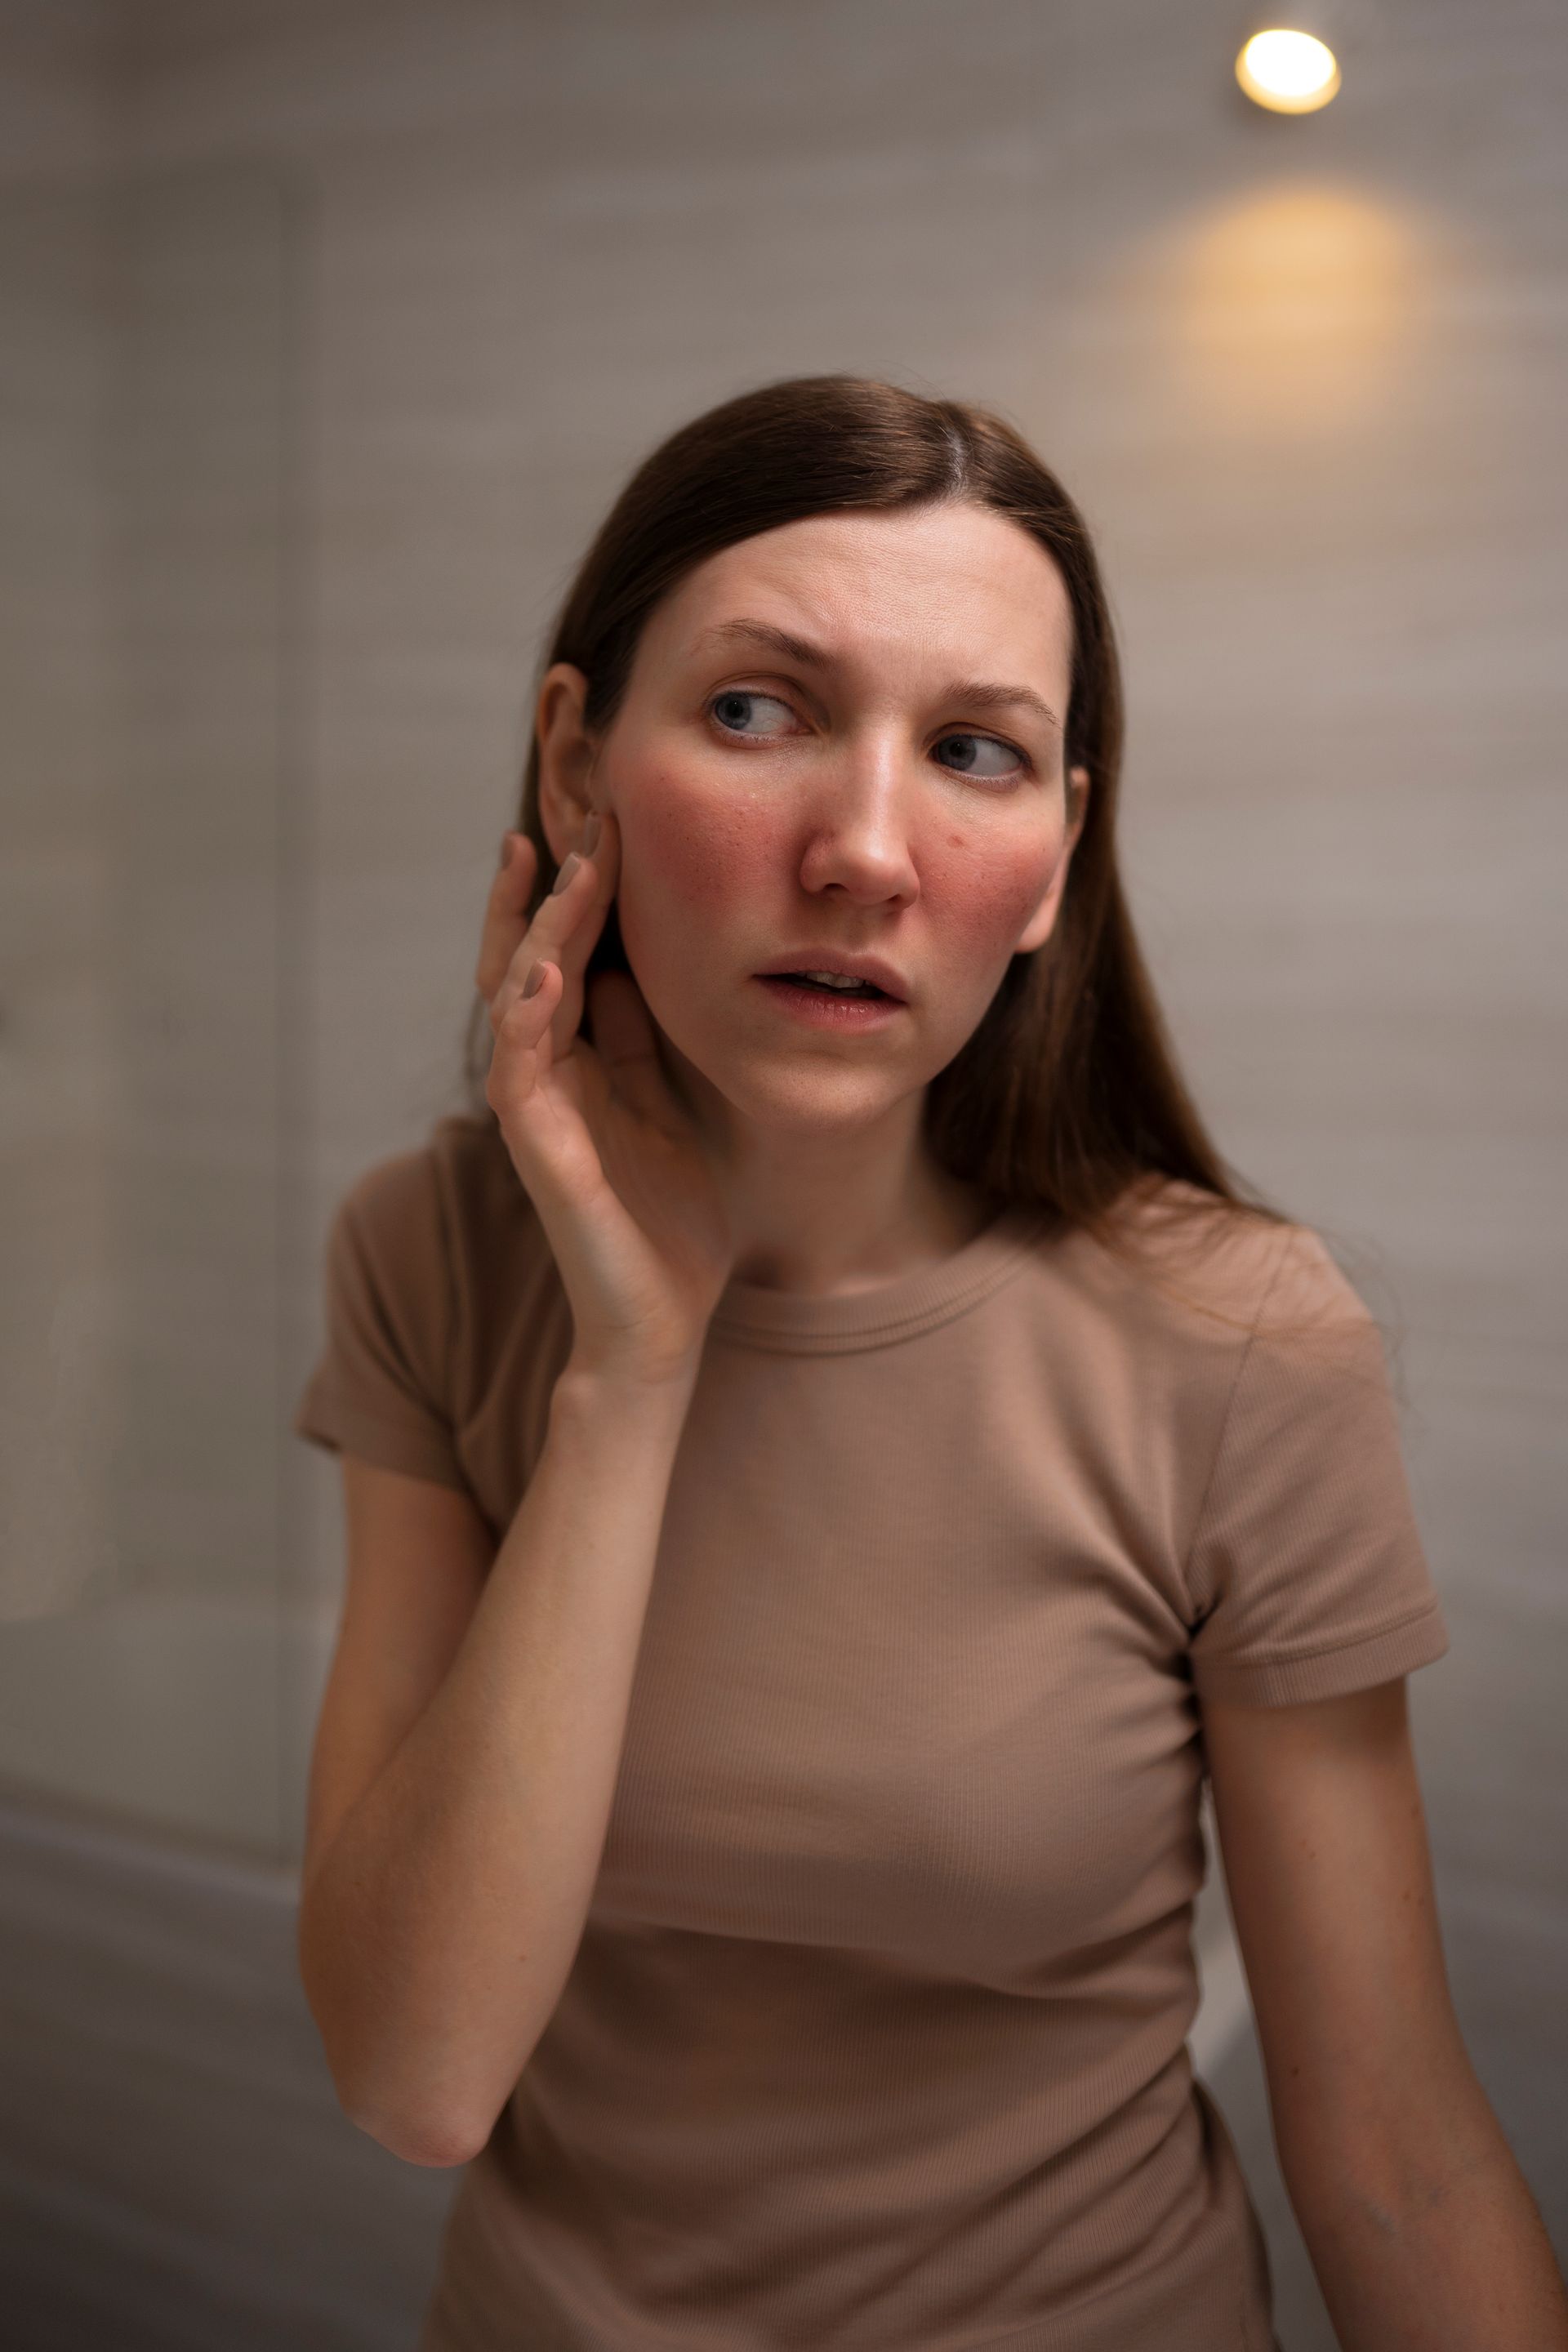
(476, 1763)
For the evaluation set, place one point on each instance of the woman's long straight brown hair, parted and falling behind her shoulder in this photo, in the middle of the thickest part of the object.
(1068, 1090)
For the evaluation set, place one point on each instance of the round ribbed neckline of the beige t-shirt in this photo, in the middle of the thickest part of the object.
(810, 1323)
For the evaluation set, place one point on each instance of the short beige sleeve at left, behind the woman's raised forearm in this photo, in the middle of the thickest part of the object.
(382, 1384)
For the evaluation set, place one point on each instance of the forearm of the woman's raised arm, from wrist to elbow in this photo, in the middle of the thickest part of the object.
(445, 1918)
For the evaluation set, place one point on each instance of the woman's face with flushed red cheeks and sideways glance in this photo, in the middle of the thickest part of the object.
(864, 799)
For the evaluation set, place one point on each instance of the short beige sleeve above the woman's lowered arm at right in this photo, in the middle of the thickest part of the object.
(1306, 1570)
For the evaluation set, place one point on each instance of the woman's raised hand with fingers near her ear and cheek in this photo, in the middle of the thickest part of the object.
(605, 1151)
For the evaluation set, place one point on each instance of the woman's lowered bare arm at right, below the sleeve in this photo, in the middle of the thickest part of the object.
(1419, 2221)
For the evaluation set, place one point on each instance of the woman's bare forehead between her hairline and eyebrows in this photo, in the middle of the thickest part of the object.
(942, 582)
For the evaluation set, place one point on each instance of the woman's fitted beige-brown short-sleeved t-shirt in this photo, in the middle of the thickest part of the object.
(876, 2036)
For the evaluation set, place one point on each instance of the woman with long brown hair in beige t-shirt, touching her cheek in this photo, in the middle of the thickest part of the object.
(829, 1476)
